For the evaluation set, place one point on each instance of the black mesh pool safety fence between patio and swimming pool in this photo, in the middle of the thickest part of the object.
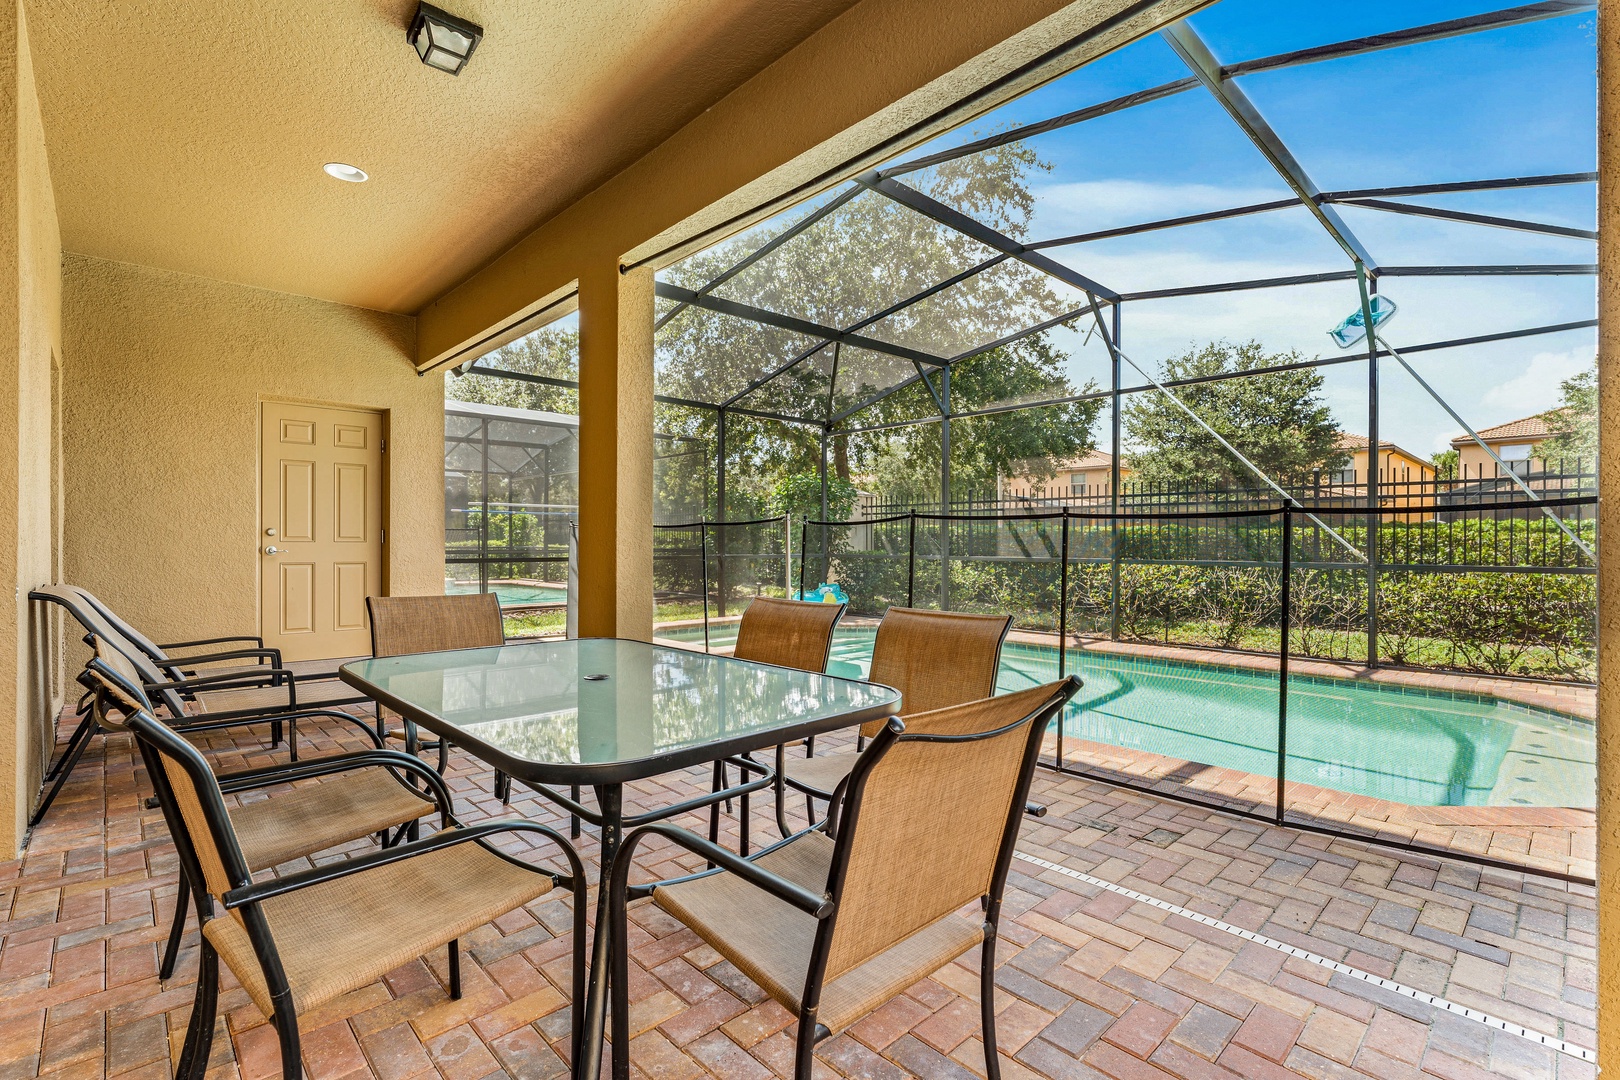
(1428, 772)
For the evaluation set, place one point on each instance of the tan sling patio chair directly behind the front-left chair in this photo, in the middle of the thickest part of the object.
(362, 797)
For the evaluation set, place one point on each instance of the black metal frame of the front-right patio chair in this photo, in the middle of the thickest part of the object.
(843, 820)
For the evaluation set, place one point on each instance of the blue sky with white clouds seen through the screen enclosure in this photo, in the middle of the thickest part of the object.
(1503, 103)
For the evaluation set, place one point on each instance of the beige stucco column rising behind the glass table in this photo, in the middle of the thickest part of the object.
(616, 453)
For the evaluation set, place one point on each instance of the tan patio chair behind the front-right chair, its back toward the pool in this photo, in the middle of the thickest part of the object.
(936, 660)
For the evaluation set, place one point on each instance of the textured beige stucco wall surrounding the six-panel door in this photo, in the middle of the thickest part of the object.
(164, 380)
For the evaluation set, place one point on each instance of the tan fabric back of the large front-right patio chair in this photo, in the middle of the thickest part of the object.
(931, 820)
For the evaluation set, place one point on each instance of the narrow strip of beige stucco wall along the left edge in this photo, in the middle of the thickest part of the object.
(30, 325)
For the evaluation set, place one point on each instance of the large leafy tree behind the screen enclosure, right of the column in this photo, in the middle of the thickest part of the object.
(853, 265)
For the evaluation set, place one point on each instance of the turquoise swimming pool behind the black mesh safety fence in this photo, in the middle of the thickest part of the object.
(1413, 747)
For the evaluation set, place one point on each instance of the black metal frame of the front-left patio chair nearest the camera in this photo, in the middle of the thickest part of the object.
(247, 896)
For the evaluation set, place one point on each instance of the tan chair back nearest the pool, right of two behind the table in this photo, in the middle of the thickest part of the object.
(937, 660)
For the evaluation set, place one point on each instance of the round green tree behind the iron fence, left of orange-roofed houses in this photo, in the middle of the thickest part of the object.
(1279, 422)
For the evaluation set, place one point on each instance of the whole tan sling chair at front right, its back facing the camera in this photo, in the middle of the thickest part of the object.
(835, 924)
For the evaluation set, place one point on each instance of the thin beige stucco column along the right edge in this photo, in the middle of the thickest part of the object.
(1608, 566)
